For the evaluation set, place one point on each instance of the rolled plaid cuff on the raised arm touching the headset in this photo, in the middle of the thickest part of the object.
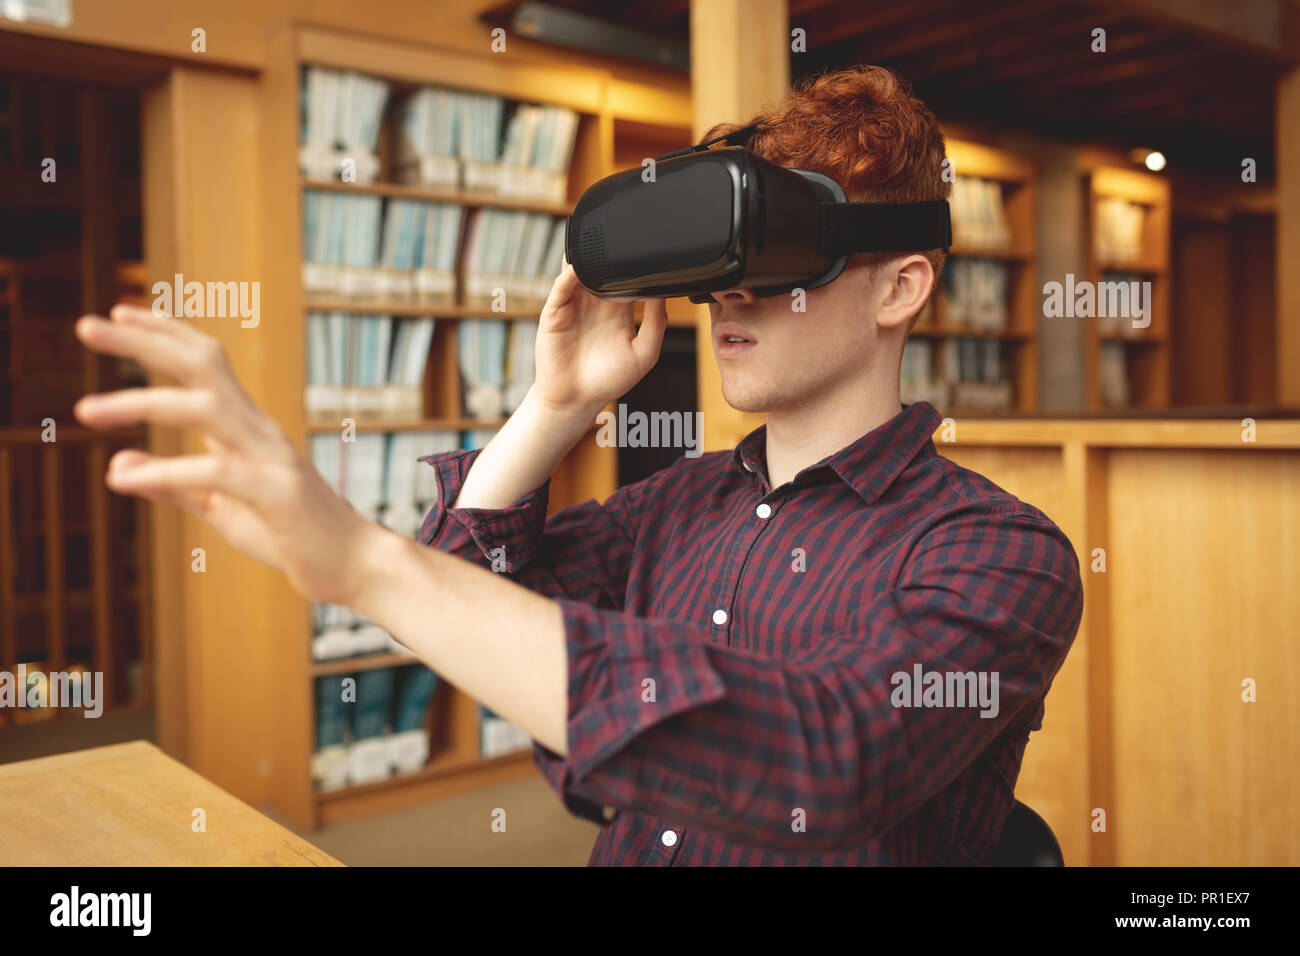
(517, 529)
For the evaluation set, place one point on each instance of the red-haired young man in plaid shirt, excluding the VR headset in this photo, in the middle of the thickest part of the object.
(826, 647)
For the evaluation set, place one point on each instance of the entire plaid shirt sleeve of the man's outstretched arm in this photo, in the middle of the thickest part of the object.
(666, 723)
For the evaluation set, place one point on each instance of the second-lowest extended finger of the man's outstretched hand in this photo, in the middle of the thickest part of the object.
(168, 406)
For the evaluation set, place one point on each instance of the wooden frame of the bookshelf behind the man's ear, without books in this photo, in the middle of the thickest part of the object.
(1017, 178)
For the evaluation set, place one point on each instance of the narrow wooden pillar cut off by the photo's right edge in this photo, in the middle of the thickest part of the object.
(1289, 240)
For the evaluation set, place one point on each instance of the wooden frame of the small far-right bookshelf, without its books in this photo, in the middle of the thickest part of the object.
(1146, 352)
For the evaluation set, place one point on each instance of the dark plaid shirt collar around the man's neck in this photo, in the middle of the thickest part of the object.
(870, 465)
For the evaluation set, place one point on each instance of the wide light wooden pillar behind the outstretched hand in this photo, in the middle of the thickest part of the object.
(218, 629)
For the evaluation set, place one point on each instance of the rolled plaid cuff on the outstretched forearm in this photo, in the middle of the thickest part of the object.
(626, 676)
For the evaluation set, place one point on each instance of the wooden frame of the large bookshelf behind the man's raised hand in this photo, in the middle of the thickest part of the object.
(608, 127)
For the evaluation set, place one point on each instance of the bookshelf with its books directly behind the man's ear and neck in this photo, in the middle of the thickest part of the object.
(974, 351)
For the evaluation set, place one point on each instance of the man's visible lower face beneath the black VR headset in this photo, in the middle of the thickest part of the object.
(791, 358)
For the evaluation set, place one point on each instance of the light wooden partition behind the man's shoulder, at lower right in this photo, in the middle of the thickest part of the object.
(1189, 539)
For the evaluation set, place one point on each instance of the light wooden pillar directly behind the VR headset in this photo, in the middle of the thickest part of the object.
(740, 62)
